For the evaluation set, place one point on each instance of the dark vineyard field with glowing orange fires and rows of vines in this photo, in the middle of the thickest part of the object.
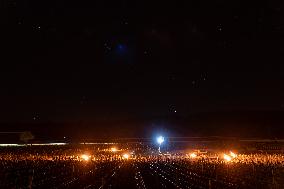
(66, 167)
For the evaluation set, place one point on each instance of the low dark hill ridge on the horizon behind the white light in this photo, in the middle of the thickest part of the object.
(249, 124)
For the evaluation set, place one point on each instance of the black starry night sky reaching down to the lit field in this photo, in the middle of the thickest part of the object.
(133, 67)
